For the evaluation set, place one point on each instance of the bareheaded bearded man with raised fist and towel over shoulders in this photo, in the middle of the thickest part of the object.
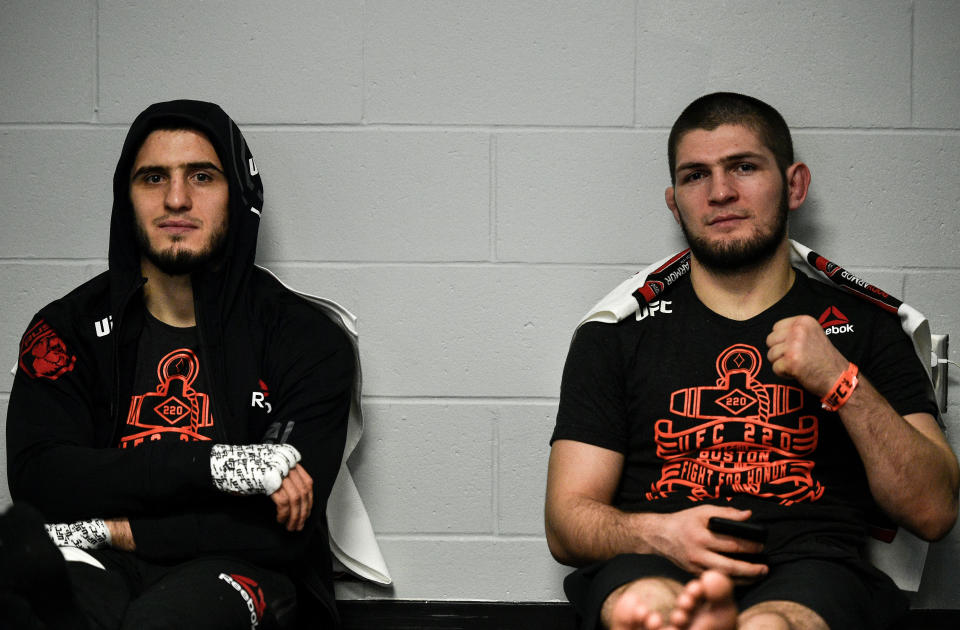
(728, 426)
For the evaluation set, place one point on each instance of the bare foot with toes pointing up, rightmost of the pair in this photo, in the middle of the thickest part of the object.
(705, 603)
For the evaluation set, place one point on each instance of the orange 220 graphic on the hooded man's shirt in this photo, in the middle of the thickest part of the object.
(175, 409)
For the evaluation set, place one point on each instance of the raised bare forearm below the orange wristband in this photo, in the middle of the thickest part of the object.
(913, 476)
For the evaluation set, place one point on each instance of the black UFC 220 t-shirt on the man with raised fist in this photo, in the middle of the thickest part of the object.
(691, 401)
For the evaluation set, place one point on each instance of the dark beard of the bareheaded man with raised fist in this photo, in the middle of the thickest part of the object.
(744, 254)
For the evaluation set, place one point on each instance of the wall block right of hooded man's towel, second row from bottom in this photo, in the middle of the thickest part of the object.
(426, 467)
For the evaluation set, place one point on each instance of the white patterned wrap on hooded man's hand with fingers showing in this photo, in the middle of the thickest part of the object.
(251, 468)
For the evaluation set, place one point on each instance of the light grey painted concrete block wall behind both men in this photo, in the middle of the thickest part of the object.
(468, 177)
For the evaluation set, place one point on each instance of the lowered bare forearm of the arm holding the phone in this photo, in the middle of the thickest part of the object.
(581, 530)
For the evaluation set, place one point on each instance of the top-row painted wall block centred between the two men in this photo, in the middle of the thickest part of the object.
(500, 62)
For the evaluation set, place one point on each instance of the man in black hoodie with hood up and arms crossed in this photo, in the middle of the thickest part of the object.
(180, 418)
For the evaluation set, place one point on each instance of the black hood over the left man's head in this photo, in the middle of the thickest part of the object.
(245, 204)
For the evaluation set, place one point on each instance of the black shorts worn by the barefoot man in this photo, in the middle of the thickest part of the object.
(847, 595)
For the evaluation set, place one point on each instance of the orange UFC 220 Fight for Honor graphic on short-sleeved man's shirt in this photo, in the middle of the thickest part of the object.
(738, 436)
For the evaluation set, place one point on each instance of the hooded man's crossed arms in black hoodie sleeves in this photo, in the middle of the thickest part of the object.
(160, 500)
